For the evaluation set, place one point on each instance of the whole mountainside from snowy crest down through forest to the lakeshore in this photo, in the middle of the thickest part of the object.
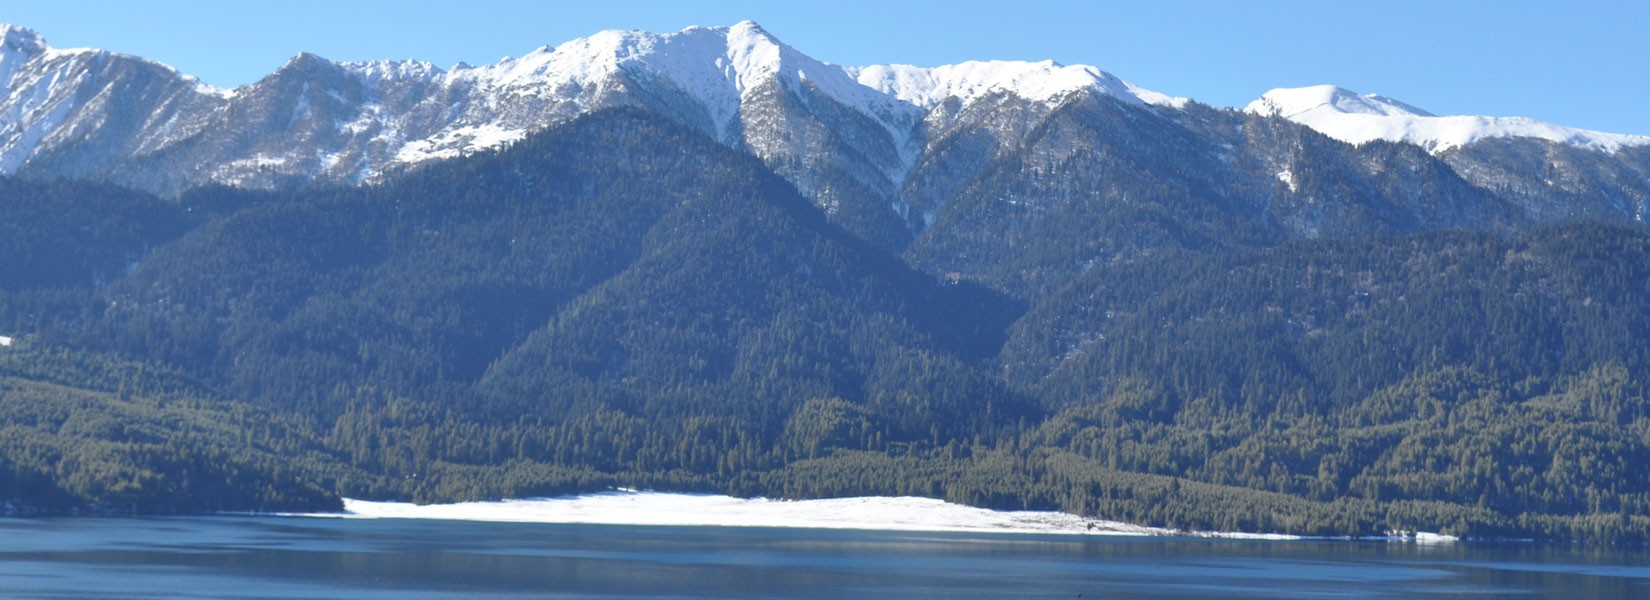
(704, 261)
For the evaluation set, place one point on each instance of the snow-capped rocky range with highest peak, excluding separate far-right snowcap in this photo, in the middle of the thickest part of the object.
(846, 138)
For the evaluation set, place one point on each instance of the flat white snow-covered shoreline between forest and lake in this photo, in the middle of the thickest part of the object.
(653, 509)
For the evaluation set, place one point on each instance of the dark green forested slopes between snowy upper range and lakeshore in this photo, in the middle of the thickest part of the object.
(626, 302)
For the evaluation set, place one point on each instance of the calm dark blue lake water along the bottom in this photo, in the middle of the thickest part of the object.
(303, 558)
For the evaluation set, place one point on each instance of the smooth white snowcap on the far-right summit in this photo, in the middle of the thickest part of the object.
(1357, 120)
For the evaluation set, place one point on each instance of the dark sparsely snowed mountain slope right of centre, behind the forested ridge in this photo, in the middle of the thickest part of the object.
(1098, 182)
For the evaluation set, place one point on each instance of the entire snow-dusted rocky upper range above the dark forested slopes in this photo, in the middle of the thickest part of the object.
(882, 149)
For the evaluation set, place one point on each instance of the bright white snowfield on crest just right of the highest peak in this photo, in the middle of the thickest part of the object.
(969, 82)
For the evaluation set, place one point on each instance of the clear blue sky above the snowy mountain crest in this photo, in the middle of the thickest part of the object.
(1583, 63)
